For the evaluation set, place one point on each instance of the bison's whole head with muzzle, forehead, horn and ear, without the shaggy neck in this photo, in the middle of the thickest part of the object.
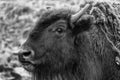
(57, 45)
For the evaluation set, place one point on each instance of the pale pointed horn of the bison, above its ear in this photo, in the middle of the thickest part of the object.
(76, 16)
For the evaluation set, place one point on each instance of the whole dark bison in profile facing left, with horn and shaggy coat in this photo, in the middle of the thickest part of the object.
(68, 45)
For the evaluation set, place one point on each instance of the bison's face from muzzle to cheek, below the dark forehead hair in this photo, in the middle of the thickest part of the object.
(50, 49)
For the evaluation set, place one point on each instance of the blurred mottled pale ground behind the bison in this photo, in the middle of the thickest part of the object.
(17, 17)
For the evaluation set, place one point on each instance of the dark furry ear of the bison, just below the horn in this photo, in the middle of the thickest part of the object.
(83, 24)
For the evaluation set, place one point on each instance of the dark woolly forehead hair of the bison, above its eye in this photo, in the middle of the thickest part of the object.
(49, 17)
